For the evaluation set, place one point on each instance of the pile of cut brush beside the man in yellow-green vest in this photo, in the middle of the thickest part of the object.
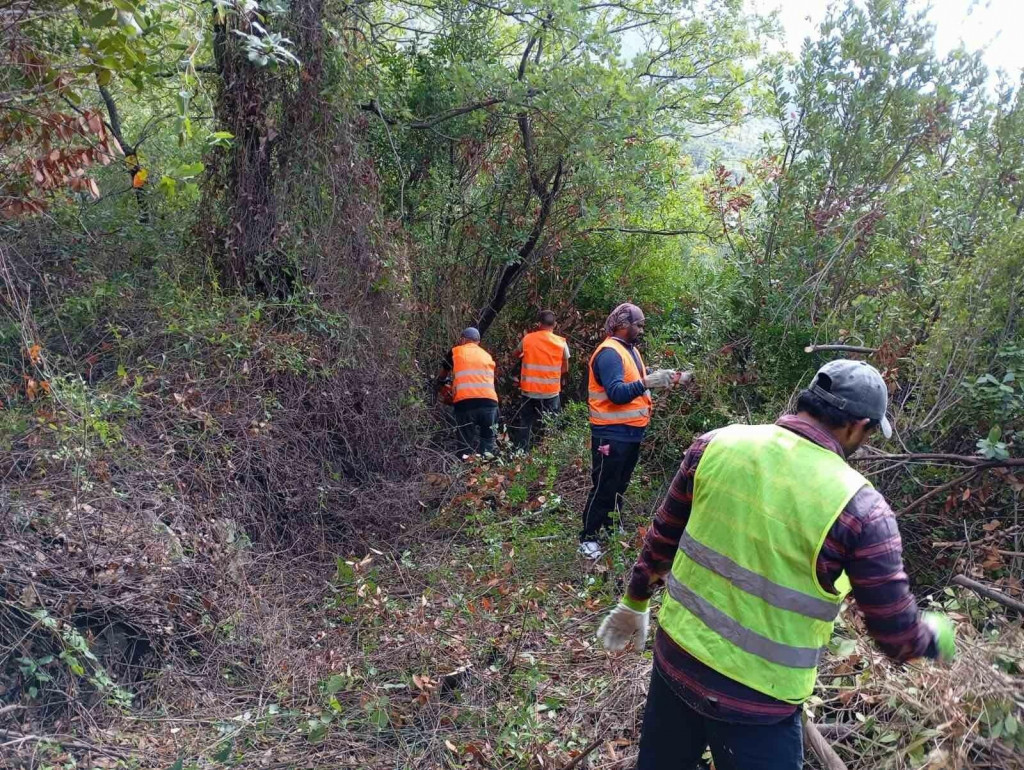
(968, 715)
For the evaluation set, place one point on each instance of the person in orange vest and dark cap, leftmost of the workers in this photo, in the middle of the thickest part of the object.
(468, 372)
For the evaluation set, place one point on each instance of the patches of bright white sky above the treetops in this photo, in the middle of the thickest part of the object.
(997, 26)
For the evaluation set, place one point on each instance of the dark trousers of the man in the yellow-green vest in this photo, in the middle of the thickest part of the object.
(675, 737)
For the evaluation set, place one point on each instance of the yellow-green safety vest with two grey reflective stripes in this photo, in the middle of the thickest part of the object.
(744, 596)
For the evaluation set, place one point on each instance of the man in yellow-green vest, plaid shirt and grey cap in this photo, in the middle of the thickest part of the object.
(764, 531)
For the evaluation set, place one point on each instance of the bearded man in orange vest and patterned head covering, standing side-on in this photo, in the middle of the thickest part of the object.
(619, 397)
